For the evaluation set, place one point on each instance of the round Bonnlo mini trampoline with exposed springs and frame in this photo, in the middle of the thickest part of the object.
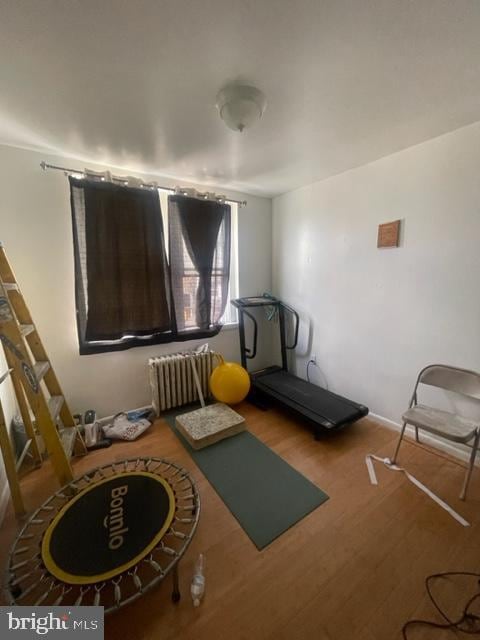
(106, 538)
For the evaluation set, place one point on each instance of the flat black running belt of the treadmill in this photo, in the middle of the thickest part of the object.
(310, 399)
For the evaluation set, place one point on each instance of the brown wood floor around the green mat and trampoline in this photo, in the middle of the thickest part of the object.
(352, 569)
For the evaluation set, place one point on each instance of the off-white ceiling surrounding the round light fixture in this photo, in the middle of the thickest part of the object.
(133, 83)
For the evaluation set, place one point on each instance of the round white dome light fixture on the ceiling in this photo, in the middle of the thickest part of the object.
(240, 106)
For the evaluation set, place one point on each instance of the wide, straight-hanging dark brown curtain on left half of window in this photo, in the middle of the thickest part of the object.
(121, 270)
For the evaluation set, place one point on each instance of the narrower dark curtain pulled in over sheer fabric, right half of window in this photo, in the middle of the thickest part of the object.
(199, 253)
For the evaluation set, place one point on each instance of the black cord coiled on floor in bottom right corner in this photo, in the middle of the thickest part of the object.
(468, 623)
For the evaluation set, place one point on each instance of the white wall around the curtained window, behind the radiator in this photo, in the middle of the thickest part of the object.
(35, 227)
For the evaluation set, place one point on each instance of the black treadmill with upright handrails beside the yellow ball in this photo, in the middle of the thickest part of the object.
(327, 411)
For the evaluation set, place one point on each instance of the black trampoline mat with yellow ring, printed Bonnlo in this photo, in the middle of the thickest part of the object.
(108, 527)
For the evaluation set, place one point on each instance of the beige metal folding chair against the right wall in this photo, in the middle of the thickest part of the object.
(451, 426)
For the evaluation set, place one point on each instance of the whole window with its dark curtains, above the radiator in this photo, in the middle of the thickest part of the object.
(129, 290)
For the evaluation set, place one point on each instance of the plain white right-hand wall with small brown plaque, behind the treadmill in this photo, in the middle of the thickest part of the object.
(379, 315)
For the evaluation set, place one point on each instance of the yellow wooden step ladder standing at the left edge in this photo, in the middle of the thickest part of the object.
(36, 386)
